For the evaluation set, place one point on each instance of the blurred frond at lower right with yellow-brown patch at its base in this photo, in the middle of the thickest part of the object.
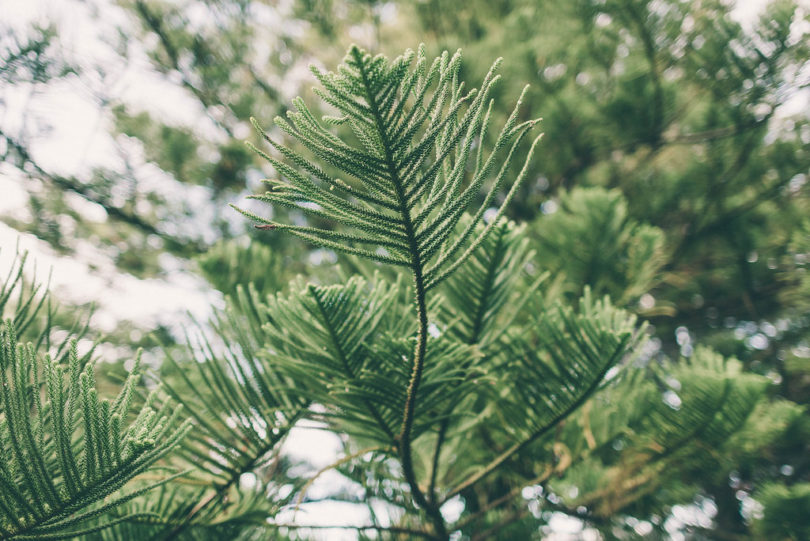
(666, 434)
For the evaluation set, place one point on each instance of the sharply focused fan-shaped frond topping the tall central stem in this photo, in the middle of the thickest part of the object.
(406, 170)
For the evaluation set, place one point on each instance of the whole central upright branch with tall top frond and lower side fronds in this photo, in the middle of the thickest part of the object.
(352, 348)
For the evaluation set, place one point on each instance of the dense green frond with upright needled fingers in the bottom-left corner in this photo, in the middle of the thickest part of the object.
(64, 449)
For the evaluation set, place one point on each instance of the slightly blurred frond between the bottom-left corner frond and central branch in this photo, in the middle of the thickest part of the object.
(239, 403)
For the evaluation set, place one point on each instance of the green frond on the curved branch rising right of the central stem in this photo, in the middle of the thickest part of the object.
(560, 362)
